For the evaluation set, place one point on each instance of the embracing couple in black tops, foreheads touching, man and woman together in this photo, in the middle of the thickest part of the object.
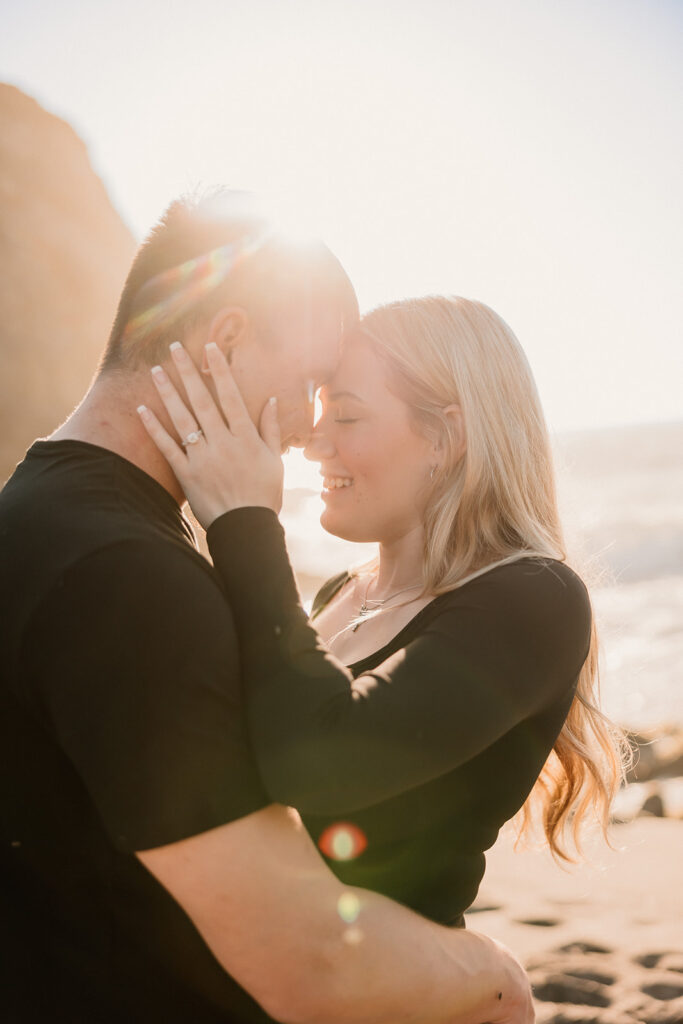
(163, 717)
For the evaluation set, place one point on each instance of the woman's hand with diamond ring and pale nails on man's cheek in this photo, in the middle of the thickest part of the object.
(223, 463)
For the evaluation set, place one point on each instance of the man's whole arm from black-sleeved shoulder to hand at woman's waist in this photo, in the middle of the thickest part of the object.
(145, 700)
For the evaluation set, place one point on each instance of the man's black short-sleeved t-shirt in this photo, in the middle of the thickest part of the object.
(122, 731)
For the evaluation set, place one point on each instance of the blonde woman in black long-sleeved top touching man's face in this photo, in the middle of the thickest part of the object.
(469, 645)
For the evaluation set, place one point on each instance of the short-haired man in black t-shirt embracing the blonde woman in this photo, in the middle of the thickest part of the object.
(146, 876)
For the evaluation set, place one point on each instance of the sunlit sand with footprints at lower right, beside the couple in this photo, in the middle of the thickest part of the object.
(603, 942)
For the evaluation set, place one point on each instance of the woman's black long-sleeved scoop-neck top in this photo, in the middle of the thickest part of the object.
(429, 746)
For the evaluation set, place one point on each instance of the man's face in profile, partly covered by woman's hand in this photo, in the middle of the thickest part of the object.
(291, 364)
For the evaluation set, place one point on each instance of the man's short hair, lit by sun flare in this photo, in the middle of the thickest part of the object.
(220, 250)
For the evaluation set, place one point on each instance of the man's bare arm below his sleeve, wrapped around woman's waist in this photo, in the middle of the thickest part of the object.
(268, 908)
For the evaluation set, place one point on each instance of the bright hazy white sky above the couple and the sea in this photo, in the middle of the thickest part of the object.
(526, 153)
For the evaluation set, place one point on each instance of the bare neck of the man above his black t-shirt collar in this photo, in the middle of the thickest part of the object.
(108, 417)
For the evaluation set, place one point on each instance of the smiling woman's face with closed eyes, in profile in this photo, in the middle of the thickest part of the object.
(376, 468)
